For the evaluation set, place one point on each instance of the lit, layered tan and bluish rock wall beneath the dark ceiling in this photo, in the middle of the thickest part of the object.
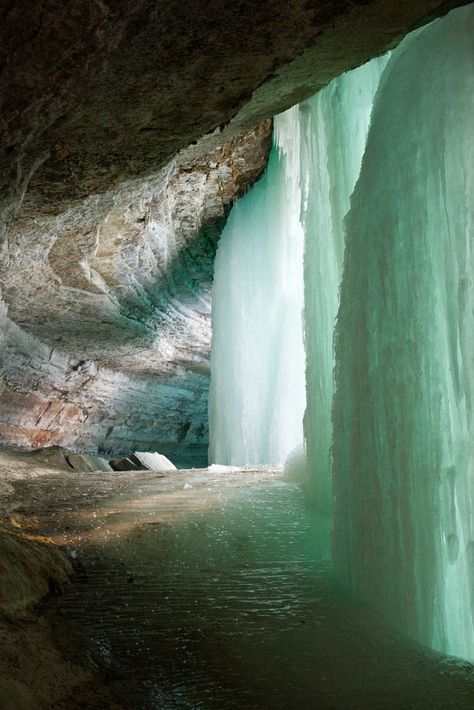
(107, 334)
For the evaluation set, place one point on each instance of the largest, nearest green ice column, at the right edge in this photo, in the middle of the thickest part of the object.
(403, 453)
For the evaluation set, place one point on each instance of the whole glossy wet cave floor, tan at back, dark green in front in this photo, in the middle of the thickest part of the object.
(213, 590)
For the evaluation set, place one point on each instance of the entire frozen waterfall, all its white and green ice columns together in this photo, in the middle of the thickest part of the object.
(376, 175)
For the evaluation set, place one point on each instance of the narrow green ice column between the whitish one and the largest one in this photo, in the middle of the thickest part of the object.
(333, 125)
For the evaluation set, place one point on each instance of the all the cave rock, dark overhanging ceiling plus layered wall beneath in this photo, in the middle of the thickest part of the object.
(106, 239)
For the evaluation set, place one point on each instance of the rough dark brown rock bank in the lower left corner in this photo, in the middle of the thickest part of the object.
(33, 672)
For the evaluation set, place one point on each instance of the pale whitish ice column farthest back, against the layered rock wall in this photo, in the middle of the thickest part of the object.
(257, 393)
